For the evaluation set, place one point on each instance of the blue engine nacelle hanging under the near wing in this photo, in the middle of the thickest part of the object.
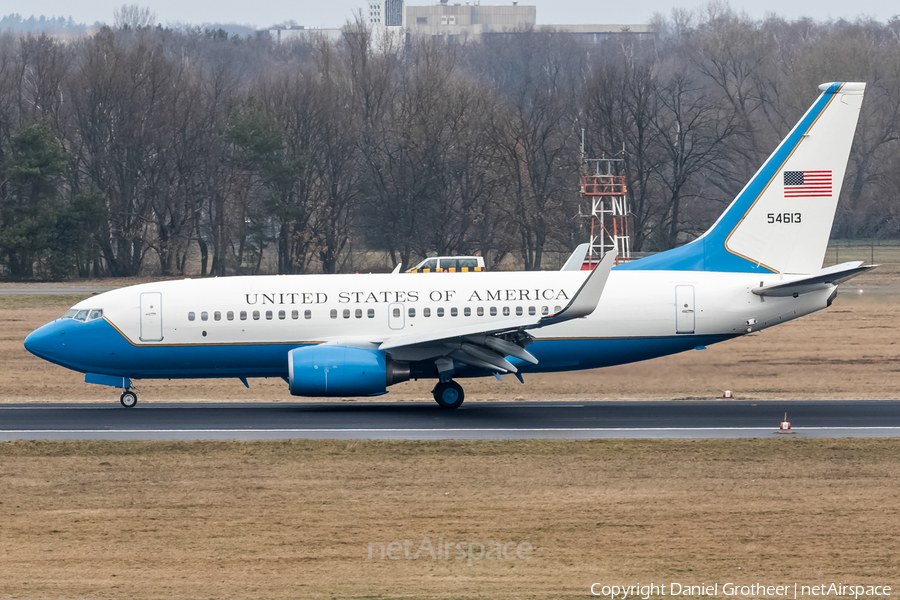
(322, 371)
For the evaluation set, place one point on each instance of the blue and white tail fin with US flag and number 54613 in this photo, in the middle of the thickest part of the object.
(780, 222)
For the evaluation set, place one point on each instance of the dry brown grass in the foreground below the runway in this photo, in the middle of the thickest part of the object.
(293, 519)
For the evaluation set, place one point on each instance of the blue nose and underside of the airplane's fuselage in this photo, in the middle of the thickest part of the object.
(97, 347)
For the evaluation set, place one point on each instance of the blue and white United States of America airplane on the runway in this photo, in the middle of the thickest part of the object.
(759, 265)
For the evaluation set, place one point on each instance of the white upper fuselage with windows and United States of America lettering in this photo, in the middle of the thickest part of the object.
(331, 308)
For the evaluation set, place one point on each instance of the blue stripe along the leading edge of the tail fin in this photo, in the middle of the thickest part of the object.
(708, 252)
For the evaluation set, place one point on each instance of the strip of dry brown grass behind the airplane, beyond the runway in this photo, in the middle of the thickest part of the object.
(849, 351)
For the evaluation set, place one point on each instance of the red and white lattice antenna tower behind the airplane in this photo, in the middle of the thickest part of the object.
(609, 209)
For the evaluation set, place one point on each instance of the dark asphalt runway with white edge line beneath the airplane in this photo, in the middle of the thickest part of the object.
(426, 421)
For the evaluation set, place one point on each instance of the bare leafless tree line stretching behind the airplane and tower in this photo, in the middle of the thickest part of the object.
(136, 149)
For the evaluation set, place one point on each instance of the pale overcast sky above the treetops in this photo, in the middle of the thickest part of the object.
(333, 13)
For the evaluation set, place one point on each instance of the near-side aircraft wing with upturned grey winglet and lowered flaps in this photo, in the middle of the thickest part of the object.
(486, 345)
